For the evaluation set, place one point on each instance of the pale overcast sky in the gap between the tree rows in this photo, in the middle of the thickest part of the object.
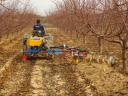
(42, 6)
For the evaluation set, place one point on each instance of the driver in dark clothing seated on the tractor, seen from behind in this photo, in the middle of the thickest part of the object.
(38, 29)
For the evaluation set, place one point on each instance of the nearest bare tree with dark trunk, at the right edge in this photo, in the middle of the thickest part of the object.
(121, 22)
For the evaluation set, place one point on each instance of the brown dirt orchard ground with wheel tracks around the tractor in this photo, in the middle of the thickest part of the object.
(42, 77)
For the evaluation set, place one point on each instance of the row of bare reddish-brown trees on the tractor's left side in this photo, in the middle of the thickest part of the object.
(14, 16)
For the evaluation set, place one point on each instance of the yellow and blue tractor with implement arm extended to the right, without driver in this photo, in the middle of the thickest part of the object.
(38, 46)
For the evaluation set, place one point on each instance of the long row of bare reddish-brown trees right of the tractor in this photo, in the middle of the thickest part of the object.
(103, 19)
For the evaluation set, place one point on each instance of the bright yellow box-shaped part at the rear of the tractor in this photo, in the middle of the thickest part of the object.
(35, 41)
